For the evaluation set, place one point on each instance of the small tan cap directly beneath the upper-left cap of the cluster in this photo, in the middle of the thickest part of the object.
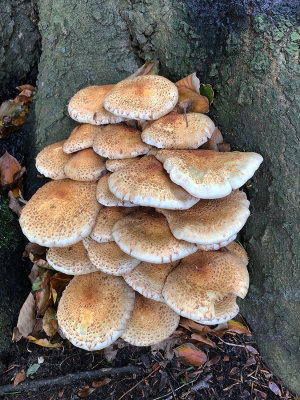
(81, 137)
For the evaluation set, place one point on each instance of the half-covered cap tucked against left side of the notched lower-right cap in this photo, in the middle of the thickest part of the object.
(148, 279)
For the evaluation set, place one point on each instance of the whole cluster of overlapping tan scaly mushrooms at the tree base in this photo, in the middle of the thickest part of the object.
(143, 219)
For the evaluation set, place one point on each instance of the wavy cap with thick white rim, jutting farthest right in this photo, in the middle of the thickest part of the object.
(208, 174)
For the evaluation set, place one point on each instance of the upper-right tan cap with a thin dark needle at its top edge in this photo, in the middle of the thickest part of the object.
(171, 132)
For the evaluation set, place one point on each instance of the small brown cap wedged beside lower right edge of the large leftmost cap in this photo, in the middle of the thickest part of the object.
(107, 217)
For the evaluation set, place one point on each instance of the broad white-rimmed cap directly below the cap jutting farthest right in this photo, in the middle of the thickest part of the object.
(210, 222)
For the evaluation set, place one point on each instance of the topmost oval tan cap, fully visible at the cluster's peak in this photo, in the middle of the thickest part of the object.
(145, 97)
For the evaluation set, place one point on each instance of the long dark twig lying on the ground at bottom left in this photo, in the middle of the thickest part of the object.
(31, 386)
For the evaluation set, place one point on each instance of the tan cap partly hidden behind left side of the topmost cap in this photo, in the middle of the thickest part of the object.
(86, 106)
